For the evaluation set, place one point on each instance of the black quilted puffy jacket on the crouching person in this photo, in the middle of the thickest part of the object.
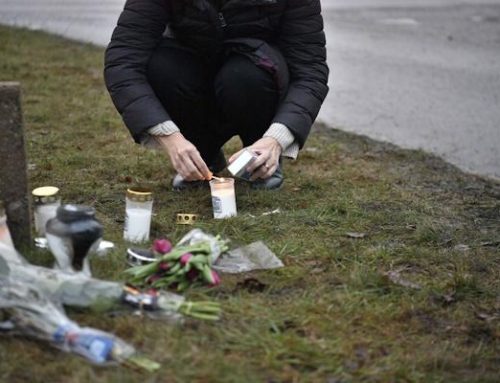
(295, 27)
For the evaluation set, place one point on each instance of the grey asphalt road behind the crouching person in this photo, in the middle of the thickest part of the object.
(418, 73)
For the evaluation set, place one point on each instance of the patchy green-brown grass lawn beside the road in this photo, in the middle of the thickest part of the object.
(416, 298)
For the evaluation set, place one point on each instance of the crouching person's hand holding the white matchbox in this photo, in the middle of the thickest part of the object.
(268, 152)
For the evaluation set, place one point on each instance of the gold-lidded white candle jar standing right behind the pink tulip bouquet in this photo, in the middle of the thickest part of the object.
(138, 212)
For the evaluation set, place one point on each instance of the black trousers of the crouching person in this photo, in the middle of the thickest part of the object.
(214, 99)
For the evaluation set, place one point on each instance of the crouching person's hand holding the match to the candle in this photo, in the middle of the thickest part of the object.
(185, 158)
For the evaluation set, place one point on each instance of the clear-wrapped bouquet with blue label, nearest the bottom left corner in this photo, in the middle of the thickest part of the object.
(26, 311)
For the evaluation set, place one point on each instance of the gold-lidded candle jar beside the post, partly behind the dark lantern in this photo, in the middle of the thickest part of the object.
(47, 201)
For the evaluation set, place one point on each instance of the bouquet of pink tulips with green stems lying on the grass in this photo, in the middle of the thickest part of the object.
(187, 264)
